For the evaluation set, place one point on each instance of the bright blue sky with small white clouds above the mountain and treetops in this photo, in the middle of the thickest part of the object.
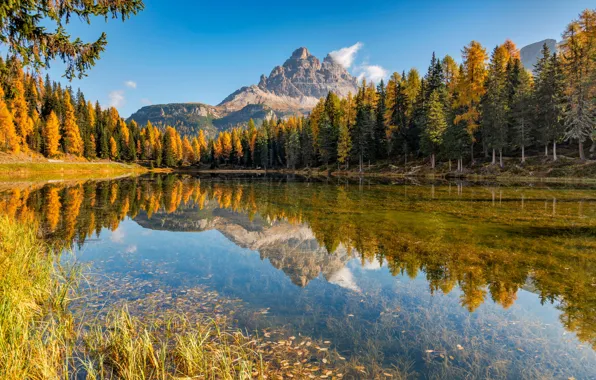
(201, 51)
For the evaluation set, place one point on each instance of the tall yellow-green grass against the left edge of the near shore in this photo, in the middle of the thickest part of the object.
(36, 329)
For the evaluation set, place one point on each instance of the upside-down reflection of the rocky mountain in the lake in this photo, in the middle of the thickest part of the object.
(292, 248)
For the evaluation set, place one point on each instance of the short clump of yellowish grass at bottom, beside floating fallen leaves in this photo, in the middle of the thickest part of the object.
(127, 348)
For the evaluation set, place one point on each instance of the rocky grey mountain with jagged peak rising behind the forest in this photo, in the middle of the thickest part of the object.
(292, 88)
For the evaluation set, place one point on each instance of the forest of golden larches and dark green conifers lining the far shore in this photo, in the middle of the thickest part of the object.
(486, 108)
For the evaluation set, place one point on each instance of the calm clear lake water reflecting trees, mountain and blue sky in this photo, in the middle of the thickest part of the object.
(448, 280)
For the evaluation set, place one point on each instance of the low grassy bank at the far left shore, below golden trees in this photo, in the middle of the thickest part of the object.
(40, 171)
